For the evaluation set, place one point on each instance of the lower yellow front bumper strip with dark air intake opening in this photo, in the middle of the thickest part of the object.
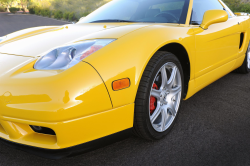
(68, 133)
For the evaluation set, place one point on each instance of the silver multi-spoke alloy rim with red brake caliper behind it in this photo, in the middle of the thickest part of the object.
(165, 97)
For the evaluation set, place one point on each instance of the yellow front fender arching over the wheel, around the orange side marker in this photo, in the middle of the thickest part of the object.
(129, 55)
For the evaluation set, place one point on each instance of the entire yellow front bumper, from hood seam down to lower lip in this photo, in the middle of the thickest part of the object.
(74, 103)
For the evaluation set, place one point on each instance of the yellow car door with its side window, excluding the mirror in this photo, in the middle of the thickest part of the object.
(217, 46)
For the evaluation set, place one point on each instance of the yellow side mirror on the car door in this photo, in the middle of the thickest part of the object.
(213, 16)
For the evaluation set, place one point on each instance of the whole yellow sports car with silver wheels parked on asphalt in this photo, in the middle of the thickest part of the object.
(126, 66)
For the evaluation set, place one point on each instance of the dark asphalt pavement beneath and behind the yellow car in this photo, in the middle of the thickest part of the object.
(213, 127)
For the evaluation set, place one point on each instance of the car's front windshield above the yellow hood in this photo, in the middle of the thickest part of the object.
(159, 11)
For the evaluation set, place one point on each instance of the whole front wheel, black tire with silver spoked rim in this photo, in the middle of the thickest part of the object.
(156, 107)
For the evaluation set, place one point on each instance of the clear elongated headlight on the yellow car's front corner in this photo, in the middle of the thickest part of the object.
(68, 56)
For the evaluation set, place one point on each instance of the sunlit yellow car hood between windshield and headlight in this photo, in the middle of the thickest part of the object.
(35, 42)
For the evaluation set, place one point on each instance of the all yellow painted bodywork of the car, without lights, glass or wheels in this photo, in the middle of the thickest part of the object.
(79, 104)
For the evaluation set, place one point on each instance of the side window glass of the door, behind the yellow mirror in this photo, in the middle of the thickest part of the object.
(201, 6)
